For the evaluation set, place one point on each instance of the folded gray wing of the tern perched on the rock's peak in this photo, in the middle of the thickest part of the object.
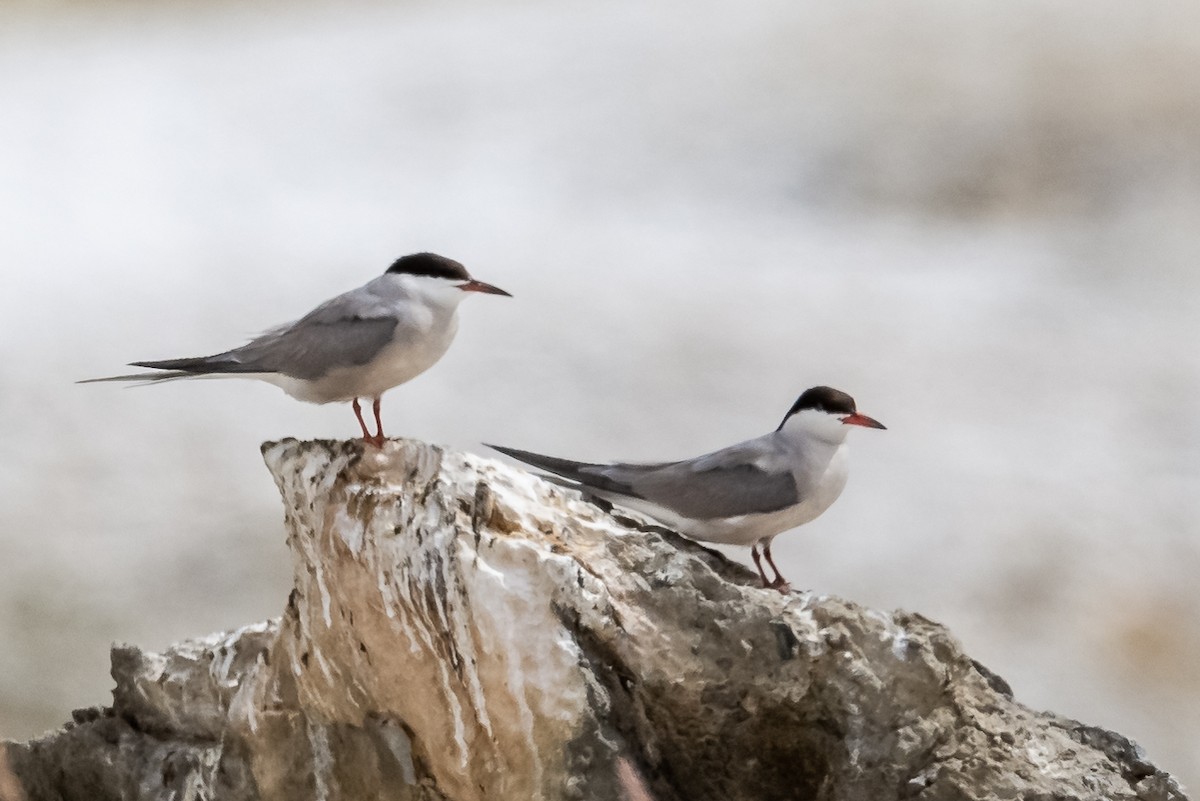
(346, 332)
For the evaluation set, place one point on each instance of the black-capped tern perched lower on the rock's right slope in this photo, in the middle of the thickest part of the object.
(745, 495)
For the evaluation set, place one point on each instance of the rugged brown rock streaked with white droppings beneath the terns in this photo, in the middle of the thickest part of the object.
(461, 630)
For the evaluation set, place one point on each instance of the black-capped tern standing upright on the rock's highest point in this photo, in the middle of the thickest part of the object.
(356, 346)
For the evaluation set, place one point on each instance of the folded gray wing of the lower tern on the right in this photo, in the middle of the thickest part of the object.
(740, 480)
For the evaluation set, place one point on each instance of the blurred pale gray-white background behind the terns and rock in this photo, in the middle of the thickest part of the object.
(982, 220)
